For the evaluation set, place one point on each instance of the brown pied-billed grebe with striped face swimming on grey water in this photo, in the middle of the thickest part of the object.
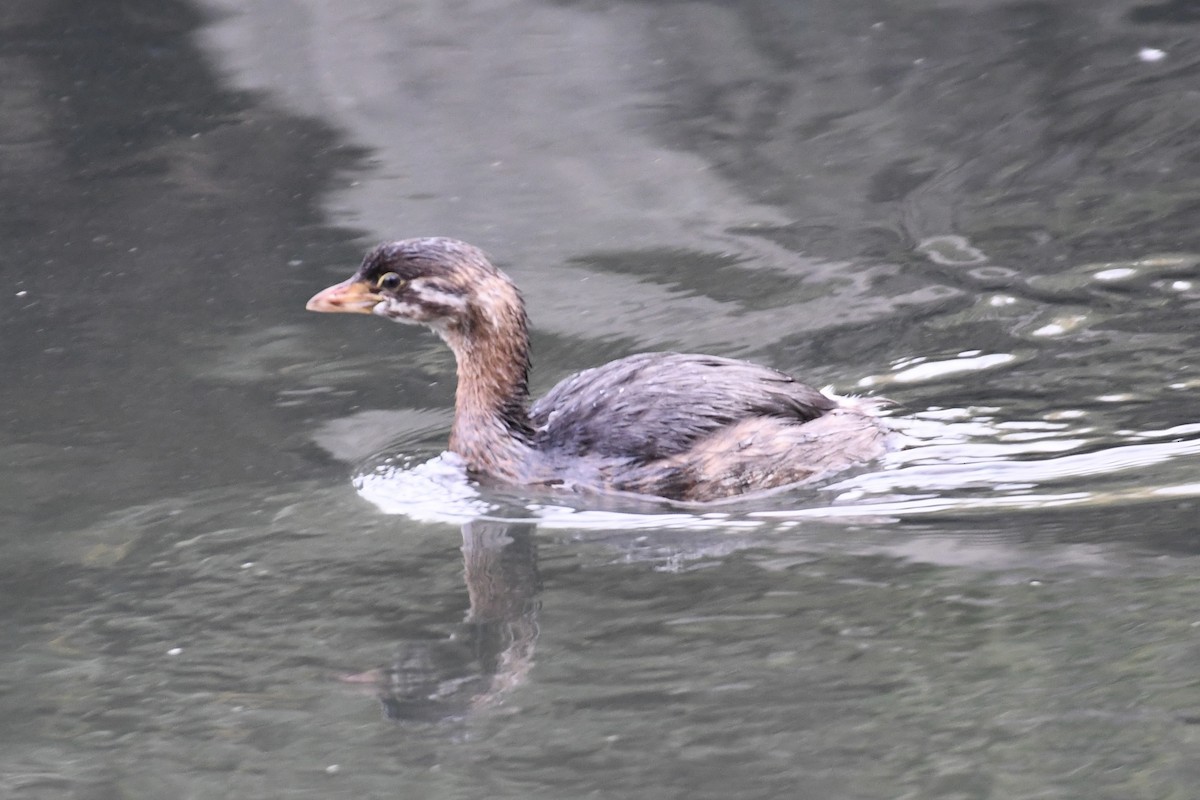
(685, 428)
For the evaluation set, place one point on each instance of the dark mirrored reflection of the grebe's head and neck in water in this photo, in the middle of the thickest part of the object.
(490, 653)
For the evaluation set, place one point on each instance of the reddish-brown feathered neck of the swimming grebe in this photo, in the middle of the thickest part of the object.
(491, 428)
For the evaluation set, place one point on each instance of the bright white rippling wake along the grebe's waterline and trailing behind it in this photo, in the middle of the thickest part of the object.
(947, 468)
